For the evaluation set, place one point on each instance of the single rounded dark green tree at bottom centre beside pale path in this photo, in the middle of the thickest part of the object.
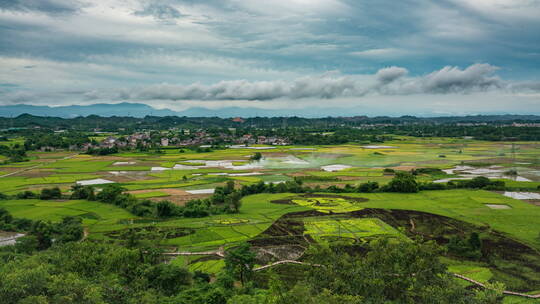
(239, 262)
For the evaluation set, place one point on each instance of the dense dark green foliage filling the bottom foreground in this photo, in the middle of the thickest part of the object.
(87, 272)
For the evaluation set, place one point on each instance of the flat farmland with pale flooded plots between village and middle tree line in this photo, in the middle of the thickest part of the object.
(140, 171)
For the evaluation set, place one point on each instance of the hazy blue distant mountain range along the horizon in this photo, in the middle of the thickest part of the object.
(140, 110)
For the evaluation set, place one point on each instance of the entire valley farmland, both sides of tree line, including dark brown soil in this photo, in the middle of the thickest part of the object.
(281, 226)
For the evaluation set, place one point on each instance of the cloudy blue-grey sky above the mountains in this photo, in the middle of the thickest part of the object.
(355, 57)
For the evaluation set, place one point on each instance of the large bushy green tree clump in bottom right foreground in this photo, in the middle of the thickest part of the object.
(391, 272)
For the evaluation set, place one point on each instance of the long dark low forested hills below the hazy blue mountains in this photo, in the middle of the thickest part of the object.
(158, 122)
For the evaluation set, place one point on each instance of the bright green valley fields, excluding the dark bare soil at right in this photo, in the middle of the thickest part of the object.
(318, 217)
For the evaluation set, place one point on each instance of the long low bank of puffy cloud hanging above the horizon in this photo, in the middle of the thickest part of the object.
(387, 81)
